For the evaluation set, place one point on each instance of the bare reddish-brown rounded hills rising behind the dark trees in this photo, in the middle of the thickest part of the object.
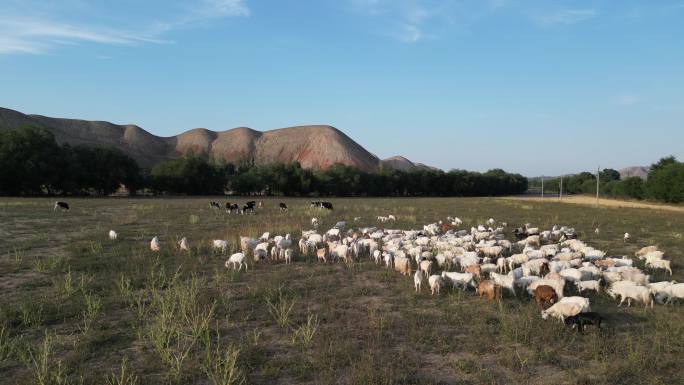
(314, 147)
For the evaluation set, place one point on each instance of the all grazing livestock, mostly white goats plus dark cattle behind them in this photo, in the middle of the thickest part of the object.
(546, 264)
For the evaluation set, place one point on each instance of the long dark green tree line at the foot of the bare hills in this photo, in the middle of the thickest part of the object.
(32, 163)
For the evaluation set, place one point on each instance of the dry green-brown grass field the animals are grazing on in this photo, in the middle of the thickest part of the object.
(77, 308)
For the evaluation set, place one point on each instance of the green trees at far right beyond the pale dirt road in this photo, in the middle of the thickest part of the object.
(665, 183)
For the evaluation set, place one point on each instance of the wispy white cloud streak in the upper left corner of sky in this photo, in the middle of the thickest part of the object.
(22, 33)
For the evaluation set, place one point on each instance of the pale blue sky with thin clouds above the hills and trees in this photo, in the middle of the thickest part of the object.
(531, 86)
